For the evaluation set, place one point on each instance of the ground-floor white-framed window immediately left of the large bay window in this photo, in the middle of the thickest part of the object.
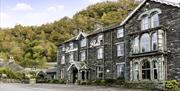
(120, 70)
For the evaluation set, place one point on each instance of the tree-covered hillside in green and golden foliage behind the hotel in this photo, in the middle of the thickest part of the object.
(33, 46)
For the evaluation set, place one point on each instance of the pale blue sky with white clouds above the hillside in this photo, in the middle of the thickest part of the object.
(37, 12)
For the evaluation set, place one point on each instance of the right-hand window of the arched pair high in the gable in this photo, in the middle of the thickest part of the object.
(154, 20)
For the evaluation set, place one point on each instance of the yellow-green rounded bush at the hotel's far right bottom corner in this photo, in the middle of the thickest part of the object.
(171, 85)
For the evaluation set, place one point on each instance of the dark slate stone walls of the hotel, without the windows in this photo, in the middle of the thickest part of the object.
(169, 23)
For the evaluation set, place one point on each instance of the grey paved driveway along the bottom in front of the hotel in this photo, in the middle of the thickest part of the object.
(56, 87)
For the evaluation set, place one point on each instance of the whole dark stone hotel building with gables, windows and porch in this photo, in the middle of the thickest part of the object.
(145, 46)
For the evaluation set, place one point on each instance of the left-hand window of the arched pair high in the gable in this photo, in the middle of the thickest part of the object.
(145, 23)
